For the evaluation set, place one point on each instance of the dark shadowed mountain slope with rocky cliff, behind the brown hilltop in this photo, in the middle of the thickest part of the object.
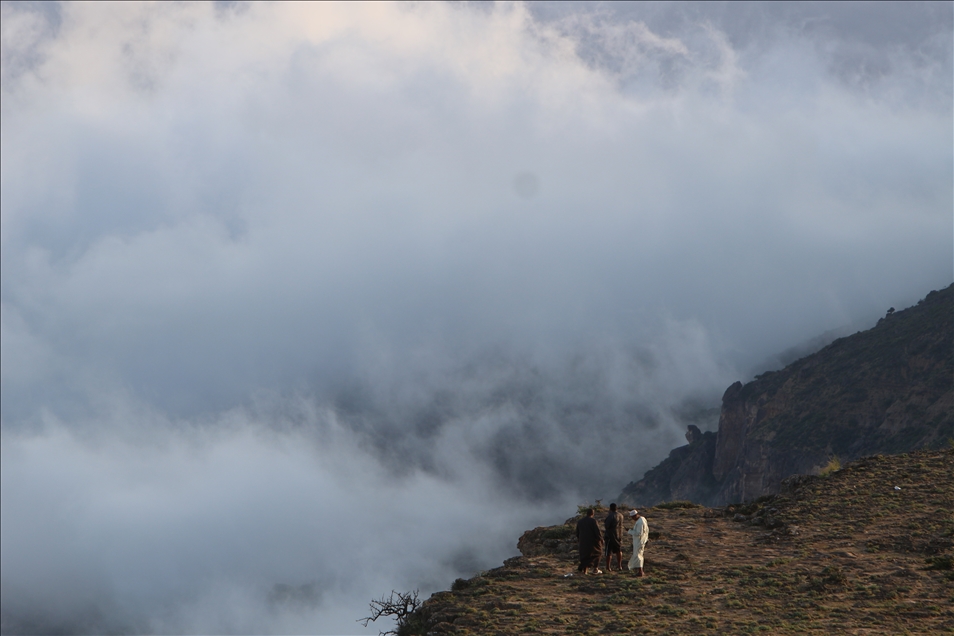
(886, 390)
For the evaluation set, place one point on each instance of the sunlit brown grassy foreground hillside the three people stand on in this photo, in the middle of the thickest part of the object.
(864, 550)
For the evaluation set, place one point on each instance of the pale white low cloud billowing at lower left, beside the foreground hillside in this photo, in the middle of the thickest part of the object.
(227, 528)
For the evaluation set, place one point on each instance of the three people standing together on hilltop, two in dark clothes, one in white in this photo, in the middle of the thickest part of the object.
(590, 536)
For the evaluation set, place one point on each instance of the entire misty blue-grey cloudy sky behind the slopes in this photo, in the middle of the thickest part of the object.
(303, 303)
